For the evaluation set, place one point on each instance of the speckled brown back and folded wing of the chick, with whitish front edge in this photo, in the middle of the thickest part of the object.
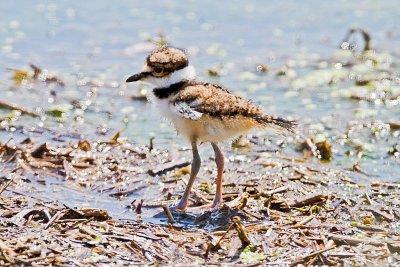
(197, 99)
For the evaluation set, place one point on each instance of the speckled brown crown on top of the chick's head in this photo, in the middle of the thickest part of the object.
(168, 58)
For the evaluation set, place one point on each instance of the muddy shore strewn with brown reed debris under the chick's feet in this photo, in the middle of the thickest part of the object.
(278, 210)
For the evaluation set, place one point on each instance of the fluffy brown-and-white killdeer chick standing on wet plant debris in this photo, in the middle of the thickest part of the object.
(201, 112)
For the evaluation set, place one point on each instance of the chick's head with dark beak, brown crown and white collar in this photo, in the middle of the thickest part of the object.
(165, 66)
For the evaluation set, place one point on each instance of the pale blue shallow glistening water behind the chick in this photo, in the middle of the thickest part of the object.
(84, 42)
